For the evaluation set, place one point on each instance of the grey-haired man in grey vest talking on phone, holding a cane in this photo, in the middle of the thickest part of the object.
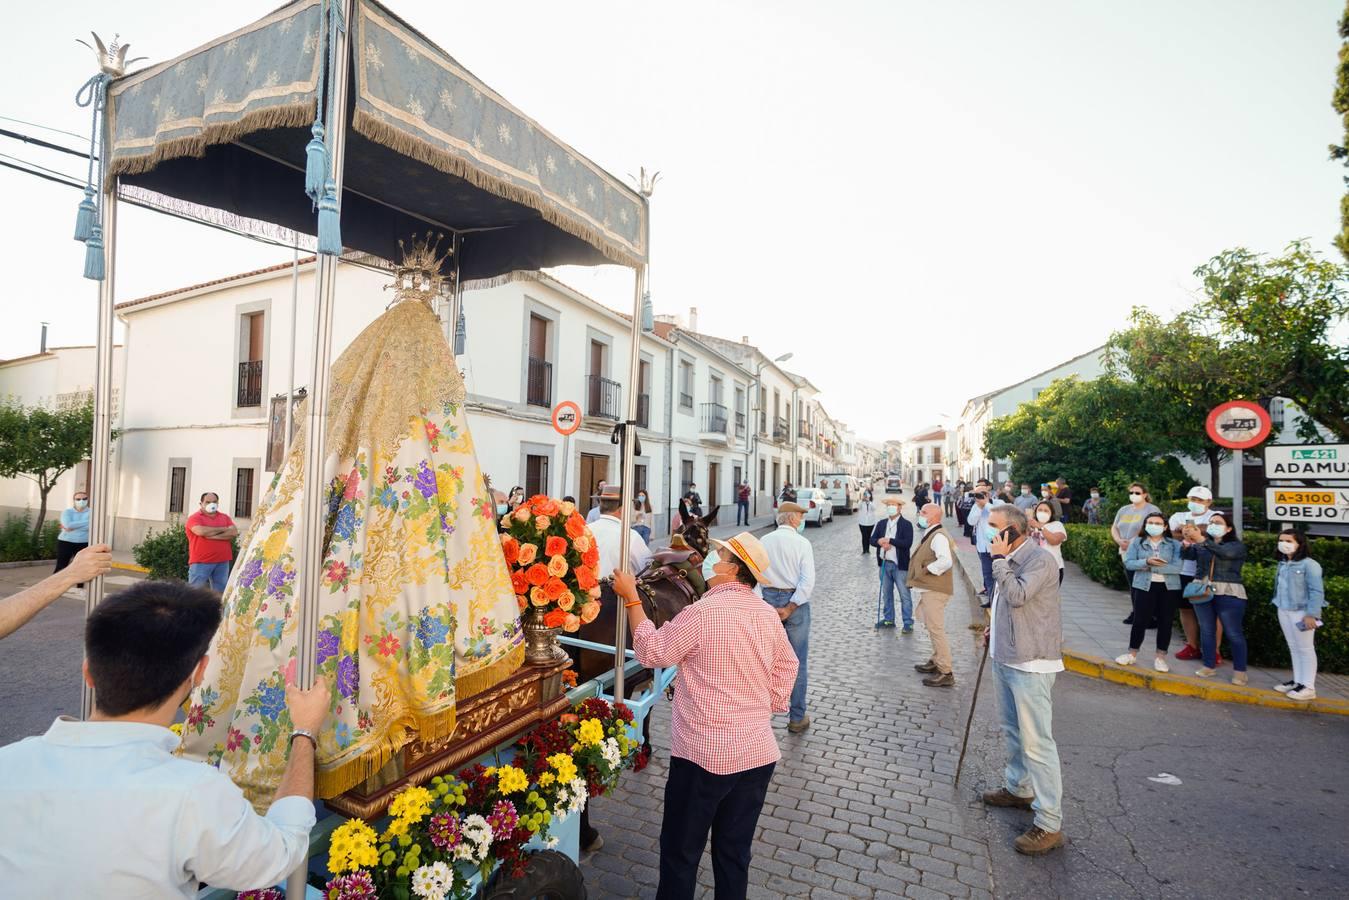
(1026, 639)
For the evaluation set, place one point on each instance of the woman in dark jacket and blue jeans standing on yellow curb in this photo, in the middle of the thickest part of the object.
(1220, 551)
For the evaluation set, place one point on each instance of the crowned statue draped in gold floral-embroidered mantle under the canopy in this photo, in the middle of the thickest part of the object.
(416, 608)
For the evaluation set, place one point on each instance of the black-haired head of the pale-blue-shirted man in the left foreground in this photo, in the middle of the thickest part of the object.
(146, 646)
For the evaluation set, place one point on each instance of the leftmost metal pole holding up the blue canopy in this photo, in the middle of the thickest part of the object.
(102, 451)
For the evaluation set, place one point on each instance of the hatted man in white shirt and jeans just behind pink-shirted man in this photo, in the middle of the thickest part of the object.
(787, 588)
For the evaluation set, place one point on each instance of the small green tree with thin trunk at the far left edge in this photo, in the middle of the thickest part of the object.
(42, 445)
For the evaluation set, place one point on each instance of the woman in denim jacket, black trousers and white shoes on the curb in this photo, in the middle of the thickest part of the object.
(1155, 561)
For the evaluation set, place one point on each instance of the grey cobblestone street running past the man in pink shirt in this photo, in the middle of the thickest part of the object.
(861, 805)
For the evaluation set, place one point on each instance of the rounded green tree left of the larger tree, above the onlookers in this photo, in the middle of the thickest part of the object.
(1107, 430)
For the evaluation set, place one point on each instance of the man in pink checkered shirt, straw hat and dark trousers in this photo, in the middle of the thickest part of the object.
(736, 670)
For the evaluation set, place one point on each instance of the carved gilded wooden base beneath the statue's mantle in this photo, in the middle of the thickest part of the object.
(485, 721)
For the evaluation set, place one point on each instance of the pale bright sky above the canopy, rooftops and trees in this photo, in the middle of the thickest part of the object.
(884, 190)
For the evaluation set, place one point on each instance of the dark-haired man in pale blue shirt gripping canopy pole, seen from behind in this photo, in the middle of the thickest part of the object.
(105, 809)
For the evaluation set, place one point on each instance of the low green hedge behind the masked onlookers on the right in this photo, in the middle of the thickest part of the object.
(1092, 549)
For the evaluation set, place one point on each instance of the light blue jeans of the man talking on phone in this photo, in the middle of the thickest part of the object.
(1027, 706)
